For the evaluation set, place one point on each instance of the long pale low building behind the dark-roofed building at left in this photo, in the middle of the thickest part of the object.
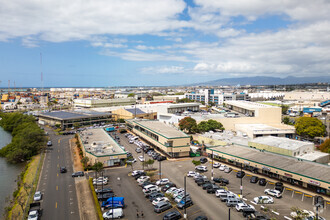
(96, 103)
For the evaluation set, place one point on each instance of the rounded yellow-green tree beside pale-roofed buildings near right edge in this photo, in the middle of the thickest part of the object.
(309, 127)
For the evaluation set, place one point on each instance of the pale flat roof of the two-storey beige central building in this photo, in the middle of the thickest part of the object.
(160, 128)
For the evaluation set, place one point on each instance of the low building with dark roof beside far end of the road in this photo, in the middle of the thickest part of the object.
(66, 119)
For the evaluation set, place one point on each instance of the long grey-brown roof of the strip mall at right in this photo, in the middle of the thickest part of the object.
(272, 160)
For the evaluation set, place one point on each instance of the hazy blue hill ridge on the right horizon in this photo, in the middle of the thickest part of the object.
(266, 80)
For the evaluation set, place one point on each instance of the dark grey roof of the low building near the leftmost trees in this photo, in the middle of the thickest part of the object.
(65, 115)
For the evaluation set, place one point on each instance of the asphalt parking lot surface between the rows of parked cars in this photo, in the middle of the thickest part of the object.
(204, 204)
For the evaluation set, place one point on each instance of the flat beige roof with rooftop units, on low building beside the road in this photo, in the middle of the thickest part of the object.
(99, 143)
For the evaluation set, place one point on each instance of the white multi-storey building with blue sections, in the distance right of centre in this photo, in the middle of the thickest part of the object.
(214, 96)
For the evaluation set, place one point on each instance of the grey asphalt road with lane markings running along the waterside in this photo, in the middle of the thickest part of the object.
(59, 192)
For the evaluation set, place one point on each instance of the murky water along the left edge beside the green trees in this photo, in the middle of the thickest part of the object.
(8, 172)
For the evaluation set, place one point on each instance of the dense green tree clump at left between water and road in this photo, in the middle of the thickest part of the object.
(28, 139)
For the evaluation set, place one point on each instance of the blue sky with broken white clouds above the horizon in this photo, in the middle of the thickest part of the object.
(100, 43)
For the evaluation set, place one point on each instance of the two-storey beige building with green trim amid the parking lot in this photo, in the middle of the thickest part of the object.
(165, 138)
